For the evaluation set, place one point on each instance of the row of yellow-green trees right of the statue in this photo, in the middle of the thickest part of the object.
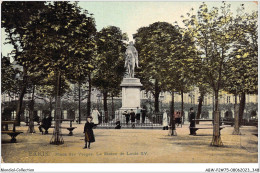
(216, 51)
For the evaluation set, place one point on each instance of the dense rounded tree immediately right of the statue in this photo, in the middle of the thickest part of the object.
(156, 46)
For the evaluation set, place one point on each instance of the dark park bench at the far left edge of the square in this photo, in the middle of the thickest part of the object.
(12, 133)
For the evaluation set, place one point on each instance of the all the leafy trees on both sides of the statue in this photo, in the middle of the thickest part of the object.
(57, 44)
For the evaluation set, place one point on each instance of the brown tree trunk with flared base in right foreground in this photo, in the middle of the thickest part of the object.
(216, 139)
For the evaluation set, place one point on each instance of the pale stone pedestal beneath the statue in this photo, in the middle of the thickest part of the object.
(131, 93)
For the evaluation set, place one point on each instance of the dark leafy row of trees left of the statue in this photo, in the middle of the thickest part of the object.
(57, 45)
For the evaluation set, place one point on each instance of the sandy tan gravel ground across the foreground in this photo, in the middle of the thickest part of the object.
(133, 146)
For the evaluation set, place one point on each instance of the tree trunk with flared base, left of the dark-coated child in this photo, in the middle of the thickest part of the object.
(57, 136)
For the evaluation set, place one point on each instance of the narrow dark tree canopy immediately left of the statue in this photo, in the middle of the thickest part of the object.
(110, 60)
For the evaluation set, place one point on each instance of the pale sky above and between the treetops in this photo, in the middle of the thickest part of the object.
(129, 16)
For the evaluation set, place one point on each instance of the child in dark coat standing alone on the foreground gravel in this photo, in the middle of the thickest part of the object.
(89, 135)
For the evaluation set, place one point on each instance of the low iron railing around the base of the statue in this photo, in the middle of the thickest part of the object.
(150, 120)
